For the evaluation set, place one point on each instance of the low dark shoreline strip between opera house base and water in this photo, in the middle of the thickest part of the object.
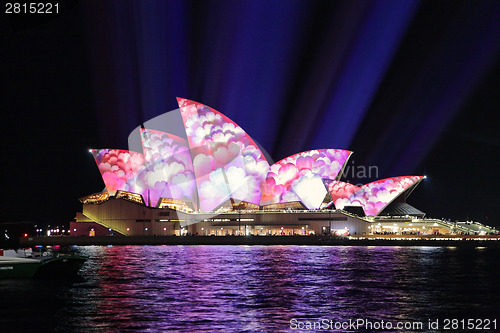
(387, 240)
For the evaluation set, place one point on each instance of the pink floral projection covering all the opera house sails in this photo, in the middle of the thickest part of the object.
(220, 161)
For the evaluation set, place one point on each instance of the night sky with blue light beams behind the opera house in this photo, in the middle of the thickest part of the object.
(411, 87)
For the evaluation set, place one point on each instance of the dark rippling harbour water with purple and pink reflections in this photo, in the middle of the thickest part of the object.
(259, 289)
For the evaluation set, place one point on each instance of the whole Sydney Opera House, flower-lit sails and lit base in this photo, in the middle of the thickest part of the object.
(216, 181)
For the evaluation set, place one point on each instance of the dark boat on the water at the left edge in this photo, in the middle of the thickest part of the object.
(23, 264)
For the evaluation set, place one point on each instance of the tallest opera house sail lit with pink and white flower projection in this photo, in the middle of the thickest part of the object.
(226, 161)
